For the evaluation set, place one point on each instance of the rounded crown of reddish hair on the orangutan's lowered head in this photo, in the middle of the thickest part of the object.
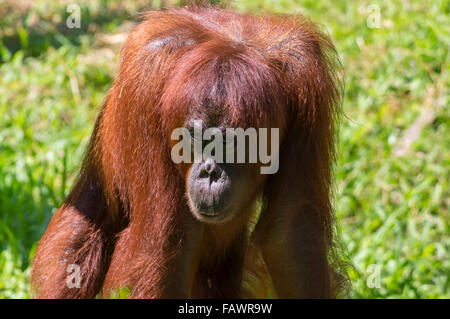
(224, 90)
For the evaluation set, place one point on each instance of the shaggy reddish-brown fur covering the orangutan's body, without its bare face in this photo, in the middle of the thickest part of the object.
(126, 222)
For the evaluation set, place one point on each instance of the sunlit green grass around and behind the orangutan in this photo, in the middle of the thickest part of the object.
(393, 170)
